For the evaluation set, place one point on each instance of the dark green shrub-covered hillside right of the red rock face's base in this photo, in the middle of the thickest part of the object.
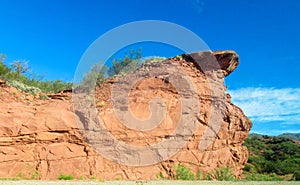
(272, 158)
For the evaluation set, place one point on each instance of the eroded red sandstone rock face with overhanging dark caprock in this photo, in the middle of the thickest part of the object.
(41, 138)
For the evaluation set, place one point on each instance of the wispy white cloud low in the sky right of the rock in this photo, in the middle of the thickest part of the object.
(269, 104)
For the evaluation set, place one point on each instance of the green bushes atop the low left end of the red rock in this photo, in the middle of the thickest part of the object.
(17, 75)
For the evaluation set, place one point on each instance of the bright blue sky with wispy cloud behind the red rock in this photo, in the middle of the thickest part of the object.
(53, 35)
